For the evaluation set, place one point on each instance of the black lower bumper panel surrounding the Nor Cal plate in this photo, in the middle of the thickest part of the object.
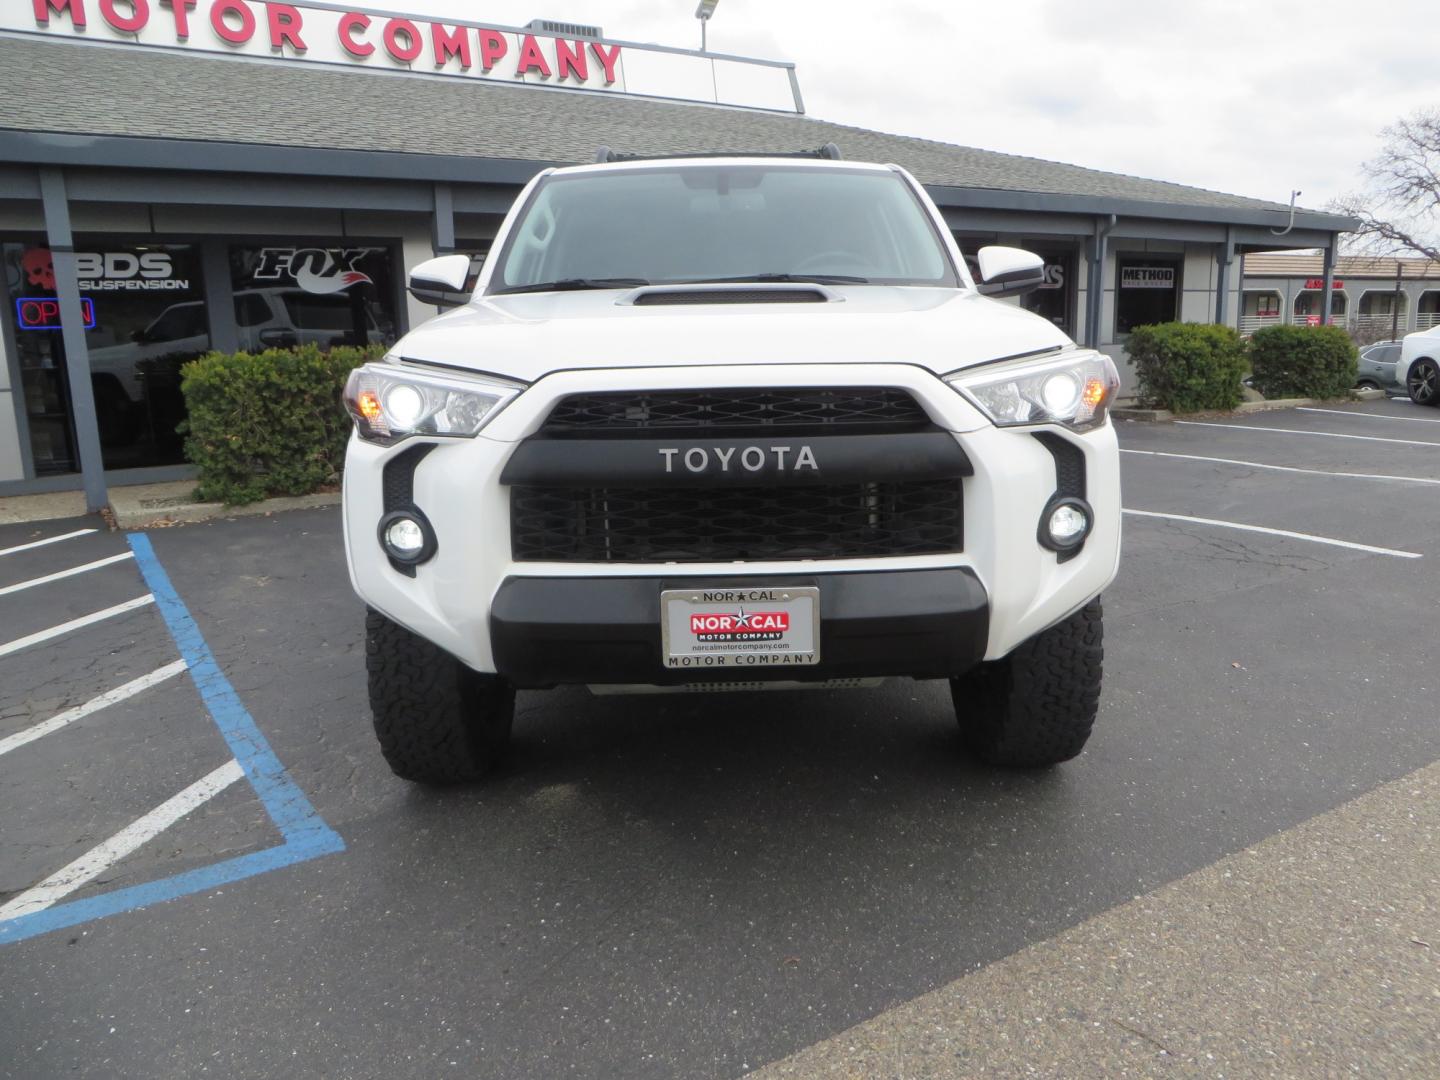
(551, 631)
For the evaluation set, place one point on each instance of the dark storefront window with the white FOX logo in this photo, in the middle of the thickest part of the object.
(290, 296)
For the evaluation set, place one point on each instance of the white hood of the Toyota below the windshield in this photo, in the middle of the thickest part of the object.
(528, 336)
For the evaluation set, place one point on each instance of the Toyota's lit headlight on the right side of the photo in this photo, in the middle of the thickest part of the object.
(1074, 390)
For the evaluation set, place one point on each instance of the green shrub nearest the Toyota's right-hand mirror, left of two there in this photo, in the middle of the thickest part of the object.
(1187, 366)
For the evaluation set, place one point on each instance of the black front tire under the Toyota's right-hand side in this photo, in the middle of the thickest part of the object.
(1036, 706)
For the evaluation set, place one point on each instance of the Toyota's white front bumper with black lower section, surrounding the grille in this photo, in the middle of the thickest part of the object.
(1022, 588)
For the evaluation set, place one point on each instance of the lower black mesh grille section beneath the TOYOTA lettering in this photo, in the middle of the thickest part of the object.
(744, 523)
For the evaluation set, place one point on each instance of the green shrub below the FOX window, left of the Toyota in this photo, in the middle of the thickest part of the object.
(269, 424)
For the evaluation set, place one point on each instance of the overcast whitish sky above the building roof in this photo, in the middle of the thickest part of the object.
(1228, 94)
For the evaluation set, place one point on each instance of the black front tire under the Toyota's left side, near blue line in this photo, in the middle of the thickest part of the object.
(438, 722)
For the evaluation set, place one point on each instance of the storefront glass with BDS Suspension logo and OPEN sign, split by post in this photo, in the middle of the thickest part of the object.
(145, 318)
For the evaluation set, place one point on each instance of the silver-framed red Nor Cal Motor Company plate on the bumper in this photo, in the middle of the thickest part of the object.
(711, 630)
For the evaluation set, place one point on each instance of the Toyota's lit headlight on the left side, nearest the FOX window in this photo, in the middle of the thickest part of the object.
(392, 401)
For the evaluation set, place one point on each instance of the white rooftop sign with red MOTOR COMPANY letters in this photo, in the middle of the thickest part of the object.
(328, 35)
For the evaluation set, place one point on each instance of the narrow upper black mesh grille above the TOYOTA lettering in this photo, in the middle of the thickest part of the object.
(862, 410)
